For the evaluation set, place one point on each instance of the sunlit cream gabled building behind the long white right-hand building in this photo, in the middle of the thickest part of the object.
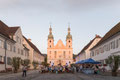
(85, 52)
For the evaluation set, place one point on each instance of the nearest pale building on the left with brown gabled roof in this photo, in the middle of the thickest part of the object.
(11, 45)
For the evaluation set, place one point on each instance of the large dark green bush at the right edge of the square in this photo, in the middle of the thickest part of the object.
(114, 63)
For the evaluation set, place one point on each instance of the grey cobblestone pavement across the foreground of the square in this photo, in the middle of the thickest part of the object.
(34, 75)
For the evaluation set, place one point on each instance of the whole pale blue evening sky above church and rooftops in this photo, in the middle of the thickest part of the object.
(86, 17)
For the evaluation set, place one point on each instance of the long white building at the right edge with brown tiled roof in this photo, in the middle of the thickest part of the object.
(108, 45)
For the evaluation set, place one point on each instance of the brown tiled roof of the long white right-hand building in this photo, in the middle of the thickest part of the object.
(109, 34)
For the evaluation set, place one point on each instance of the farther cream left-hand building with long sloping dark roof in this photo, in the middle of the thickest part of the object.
(35, 54)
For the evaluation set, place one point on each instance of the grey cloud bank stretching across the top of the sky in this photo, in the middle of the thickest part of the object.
(56, 6)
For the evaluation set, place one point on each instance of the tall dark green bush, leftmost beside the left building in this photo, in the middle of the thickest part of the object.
(16, 61)
